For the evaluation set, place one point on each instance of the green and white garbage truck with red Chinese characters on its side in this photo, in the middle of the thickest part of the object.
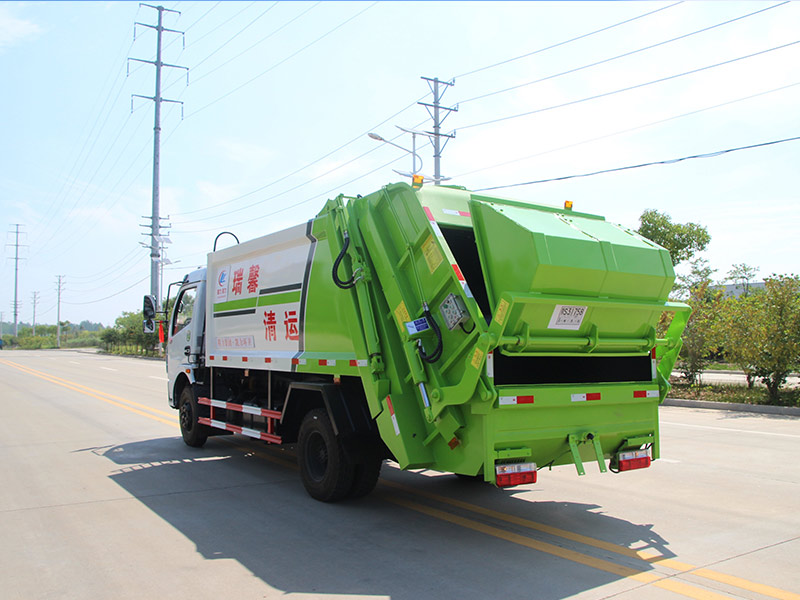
(432, 326)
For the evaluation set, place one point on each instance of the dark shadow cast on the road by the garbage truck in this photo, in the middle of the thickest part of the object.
(233, 504)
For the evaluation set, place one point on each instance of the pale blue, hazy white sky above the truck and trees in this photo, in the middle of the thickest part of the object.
(281, 97)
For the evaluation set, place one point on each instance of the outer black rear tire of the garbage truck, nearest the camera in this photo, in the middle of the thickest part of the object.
(325, 467)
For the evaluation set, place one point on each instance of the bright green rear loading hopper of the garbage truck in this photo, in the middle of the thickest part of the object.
(555, 358)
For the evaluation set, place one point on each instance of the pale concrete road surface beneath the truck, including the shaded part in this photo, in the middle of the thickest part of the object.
(100, 498)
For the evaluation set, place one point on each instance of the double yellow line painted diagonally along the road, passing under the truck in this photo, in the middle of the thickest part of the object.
(667, 583)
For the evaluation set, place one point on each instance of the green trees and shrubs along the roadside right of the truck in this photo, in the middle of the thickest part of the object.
(755, 329)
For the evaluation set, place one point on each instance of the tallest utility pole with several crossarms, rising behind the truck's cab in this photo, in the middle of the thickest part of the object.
(155, 246)
